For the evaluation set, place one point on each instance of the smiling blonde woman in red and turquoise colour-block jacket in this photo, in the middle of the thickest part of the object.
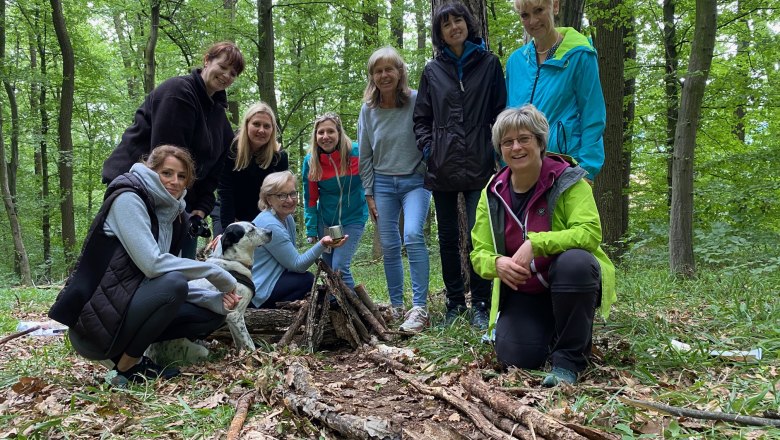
(333, 192)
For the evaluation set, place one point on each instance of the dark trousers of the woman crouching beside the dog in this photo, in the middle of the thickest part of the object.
(157, 312)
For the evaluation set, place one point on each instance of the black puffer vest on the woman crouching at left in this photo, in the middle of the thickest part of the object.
(95, 298)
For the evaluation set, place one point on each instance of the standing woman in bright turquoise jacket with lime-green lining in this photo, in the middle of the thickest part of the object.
(557, 72)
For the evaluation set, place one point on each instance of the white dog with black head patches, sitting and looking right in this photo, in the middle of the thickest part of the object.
(234, 252)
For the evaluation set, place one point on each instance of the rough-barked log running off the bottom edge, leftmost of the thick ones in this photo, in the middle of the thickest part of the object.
(306, 400)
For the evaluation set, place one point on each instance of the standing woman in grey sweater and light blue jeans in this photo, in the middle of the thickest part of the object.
(392, 170)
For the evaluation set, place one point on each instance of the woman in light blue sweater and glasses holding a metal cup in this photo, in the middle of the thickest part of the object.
(279, 271)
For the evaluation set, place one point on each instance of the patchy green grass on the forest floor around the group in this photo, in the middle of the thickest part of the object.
(718, 310)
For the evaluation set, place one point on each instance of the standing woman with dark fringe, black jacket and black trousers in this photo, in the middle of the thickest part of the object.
(462, 90)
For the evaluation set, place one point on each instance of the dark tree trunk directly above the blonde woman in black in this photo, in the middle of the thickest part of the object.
(265, 51)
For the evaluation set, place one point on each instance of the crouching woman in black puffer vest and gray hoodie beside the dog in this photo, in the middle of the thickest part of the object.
(129, 289)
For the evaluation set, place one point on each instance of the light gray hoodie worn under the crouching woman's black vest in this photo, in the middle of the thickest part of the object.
(129, 222)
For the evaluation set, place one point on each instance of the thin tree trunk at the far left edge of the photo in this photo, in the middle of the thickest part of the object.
(8, 199)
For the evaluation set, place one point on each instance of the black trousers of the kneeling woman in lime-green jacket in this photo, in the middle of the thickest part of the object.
(555, 325)
